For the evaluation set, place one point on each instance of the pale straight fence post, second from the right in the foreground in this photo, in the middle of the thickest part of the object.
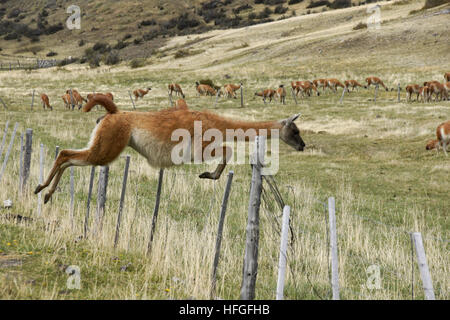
(333, 248)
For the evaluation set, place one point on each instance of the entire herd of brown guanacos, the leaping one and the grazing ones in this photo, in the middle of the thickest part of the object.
(149, 133)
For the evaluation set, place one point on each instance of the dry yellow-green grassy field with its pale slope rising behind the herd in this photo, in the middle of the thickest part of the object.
(370, 156)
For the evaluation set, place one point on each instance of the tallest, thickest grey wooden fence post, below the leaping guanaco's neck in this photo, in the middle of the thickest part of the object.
(250, 267)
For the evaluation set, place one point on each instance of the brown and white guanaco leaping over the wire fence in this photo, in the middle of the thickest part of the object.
(150, 134)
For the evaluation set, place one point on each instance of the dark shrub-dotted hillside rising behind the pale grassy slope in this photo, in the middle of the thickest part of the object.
(133, 28)
